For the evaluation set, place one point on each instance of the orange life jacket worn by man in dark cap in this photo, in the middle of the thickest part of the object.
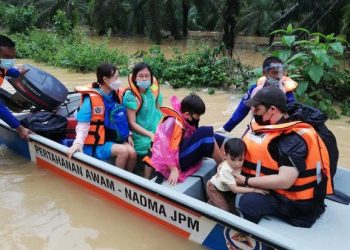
(259, 162)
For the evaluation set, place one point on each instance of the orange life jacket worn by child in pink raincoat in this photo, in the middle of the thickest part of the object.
(179, 127)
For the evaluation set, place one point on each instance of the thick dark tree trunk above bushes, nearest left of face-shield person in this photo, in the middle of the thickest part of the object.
(230, 13)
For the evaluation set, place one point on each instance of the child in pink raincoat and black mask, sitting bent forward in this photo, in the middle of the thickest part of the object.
(179, 144)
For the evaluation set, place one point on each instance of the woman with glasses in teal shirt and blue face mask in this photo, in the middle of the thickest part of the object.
(142, 102)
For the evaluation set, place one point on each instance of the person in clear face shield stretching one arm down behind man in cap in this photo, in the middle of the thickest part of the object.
(273, 75)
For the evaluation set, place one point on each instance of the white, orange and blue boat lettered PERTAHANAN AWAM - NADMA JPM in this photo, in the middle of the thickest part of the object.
(182, 209)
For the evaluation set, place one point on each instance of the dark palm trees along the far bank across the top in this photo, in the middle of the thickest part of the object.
(164, 19)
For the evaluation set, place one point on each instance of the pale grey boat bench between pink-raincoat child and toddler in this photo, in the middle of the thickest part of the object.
(195, 185)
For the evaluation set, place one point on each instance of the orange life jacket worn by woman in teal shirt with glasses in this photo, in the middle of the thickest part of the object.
(134, 89)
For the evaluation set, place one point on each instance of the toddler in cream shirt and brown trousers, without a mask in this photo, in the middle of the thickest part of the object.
(222, 186)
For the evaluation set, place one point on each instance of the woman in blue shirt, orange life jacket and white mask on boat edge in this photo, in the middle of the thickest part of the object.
(102, 130)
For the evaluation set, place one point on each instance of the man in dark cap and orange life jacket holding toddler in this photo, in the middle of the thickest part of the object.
(289, 158)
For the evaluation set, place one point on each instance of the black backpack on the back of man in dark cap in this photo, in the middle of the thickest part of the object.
(317, 119)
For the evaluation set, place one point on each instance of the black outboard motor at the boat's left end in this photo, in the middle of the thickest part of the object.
(36, 88)
